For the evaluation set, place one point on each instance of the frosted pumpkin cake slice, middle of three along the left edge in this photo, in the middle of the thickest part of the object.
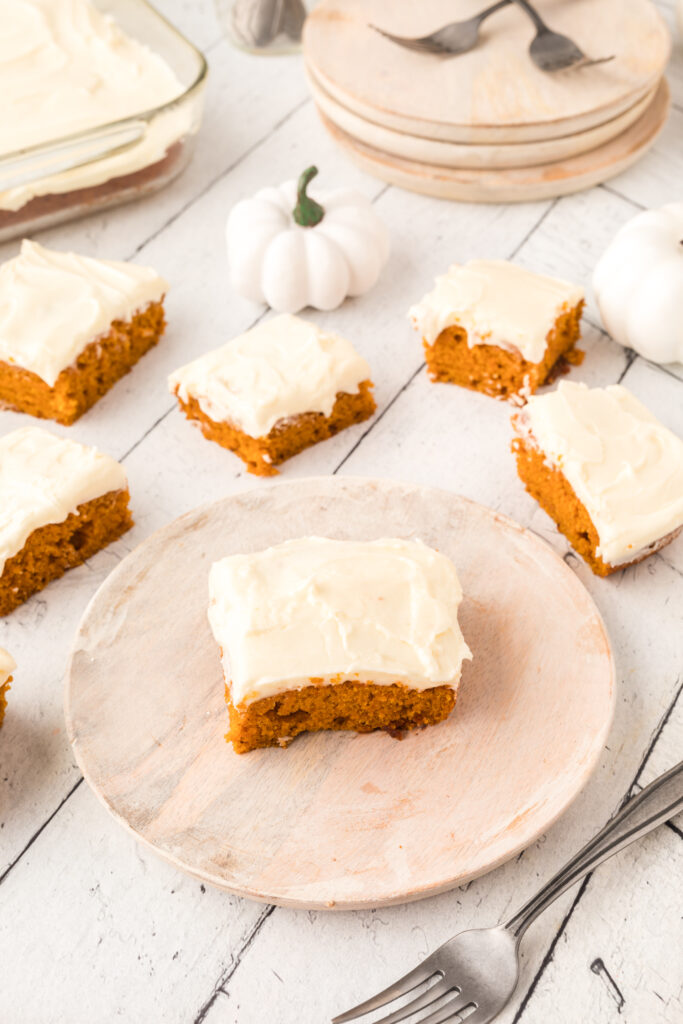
(60, 503)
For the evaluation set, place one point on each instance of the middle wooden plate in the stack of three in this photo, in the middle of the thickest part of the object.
(471, 155)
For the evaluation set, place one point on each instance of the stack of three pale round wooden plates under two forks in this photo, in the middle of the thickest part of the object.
(489, 125)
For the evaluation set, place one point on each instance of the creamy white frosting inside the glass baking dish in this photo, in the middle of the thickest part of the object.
(67, 67)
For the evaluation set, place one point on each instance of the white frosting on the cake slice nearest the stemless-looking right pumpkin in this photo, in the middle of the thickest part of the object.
(498, 304)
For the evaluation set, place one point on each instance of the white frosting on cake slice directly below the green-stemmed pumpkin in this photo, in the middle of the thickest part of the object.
(281, 368)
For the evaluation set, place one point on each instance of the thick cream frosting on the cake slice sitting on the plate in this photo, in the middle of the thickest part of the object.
(317, 610)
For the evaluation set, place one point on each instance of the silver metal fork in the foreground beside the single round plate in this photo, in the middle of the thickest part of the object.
(474, 975)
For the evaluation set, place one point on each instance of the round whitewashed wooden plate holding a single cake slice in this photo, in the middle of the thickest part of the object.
(337, 820)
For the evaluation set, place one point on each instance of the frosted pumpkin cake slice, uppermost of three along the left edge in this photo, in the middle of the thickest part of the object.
(71, 327)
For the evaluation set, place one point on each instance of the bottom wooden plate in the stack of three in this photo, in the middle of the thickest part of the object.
(514, 185)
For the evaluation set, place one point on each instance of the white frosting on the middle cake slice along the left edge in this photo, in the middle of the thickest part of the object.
(44, 479)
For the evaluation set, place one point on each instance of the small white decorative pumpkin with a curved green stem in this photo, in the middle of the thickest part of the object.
(290, 251)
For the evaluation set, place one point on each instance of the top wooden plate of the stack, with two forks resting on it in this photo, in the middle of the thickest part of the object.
(494, 94)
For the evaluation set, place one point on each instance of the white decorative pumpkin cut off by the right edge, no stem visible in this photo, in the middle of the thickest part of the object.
(638, 284)
